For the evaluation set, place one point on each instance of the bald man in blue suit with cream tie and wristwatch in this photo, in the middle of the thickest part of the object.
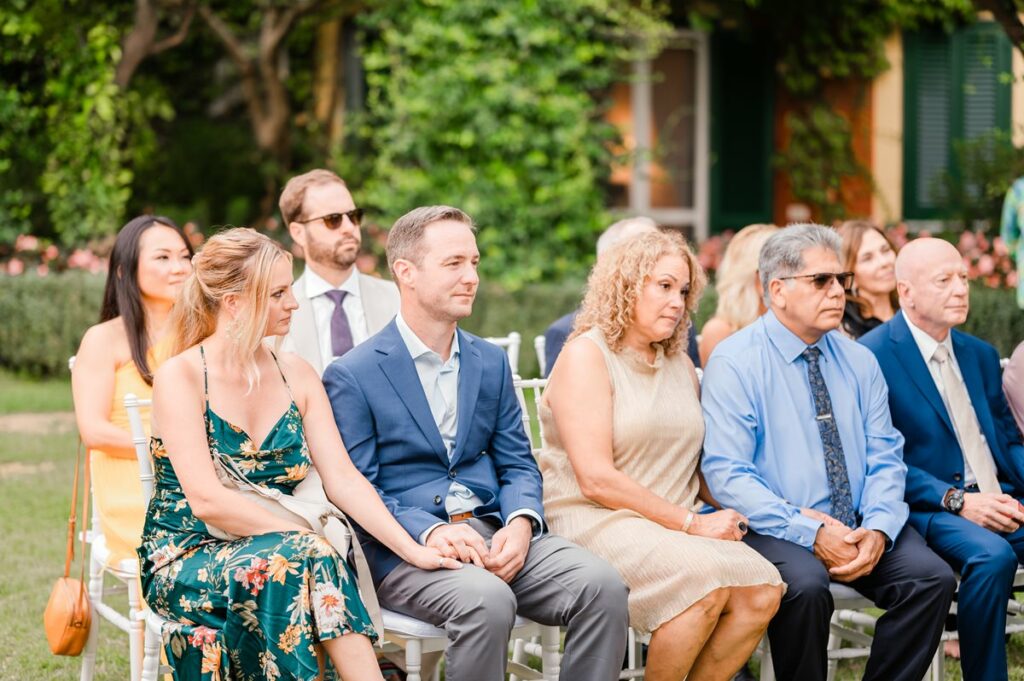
(963, 451)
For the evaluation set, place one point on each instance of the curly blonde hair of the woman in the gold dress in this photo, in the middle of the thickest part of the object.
(619, 278)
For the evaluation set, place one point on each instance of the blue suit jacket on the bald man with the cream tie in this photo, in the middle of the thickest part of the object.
(934, 458)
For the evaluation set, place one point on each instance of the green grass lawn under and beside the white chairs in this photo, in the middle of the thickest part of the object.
(36, 473)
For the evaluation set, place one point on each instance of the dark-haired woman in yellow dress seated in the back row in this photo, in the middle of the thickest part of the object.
(152, 258)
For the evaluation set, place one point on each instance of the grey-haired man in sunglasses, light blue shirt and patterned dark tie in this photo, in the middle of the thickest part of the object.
(801, 442)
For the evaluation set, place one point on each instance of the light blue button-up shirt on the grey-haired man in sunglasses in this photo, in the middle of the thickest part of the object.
(763, 453)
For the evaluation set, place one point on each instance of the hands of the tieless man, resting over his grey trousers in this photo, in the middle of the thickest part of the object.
(505, 558)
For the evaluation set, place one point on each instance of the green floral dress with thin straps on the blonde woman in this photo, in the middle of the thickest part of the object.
(255, 608)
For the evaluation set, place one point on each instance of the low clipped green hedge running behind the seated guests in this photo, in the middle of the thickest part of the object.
(42, 319)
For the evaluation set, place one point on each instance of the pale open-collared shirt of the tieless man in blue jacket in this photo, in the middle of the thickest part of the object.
(441, 386)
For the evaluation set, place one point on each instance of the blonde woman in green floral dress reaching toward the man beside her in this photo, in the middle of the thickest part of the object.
(271, 605)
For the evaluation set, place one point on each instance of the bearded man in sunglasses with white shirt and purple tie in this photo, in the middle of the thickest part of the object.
(339, 308)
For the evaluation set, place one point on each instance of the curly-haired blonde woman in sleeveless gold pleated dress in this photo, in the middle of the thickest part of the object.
(624, 430)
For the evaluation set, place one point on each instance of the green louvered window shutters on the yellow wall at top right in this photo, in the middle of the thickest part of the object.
(954, 90)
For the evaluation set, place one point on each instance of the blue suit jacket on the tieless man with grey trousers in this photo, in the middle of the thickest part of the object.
(386, 421)
